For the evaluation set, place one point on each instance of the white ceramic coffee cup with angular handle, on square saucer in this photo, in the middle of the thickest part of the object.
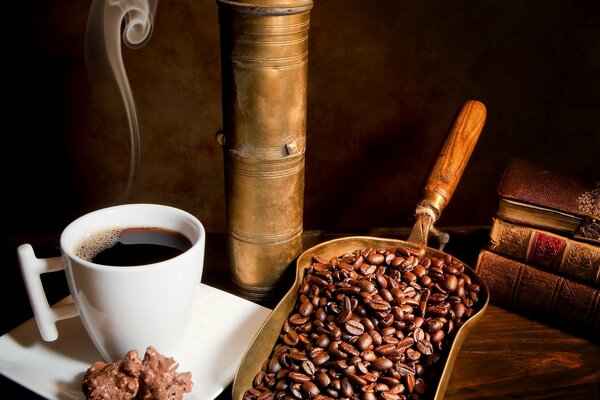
(122, 308)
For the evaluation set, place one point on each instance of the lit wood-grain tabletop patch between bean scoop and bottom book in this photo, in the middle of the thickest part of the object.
(510, 356)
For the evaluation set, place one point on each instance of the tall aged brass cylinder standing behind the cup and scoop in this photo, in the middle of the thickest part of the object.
(264, 60)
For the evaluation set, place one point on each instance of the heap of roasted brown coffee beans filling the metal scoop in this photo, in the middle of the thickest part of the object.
(368, 325)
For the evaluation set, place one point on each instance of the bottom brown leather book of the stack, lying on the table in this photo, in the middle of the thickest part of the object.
(522, 287)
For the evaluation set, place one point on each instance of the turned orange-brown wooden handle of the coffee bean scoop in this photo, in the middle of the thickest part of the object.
(453, 157)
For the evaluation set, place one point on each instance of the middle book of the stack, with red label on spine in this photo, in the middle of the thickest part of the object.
(555, 253)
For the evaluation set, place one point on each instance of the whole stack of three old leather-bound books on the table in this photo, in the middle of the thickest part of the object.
(543, 255)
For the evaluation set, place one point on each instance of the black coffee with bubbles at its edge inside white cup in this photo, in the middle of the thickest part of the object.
(133, 246)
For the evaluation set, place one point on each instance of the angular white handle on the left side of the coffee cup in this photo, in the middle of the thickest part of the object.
(46, 316)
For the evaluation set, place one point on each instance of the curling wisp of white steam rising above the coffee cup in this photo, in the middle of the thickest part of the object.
(106, 20)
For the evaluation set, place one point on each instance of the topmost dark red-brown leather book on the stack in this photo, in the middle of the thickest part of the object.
(561, 201)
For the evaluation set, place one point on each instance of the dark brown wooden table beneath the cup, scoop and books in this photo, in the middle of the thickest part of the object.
(506, 356)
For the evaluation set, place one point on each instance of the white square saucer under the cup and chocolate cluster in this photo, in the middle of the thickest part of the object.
(222, 326)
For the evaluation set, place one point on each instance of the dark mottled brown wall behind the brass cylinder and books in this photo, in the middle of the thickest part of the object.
(385, 80)
